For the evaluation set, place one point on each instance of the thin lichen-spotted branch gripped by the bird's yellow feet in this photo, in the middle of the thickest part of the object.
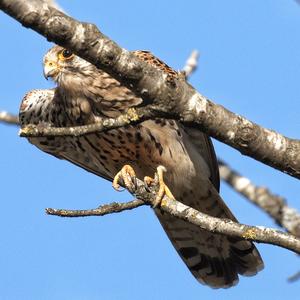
(147, 195)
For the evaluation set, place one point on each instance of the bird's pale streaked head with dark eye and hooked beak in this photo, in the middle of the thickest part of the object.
(61, 65)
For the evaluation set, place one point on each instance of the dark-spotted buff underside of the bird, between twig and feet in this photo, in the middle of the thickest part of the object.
(144, 147)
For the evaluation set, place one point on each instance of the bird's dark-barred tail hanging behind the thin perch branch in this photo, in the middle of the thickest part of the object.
(214, 259)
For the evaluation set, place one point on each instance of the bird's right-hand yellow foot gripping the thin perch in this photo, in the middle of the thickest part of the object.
(163, 189)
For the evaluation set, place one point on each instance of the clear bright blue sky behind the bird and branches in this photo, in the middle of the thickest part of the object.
(249, 63)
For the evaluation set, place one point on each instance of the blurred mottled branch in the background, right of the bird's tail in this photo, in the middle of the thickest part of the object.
(275, 206)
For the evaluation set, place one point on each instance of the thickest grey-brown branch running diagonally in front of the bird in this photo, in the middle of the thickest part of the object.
(169, 98)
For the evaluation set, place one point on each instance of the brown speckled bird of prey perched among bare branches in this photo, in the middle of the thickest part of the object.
(83, 95)
